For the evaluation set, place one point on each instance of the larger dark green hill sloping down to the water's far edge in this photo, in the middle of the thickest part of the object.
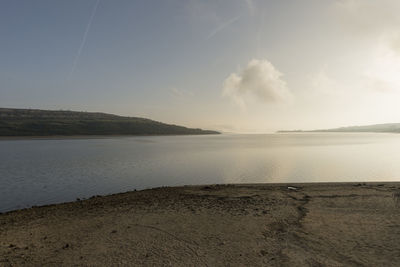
(33, 122)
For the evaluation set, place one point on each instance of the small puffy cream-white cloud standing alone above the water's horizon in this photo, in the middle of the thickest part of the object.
(259, 80)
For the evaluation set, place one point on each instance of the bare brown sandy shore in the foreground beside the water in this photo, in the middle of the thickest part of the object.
(352, 224)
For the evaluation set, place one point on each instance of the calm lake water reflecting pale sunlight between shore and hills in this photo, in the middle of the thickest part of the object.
(36, 172)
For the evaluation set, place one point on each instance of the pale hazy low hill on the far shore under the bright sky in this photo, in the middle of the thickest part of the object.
(376, 128)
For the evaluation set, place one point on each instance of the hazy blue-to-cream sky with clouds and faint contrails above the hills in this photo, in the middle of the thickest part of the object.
(240, 66)
